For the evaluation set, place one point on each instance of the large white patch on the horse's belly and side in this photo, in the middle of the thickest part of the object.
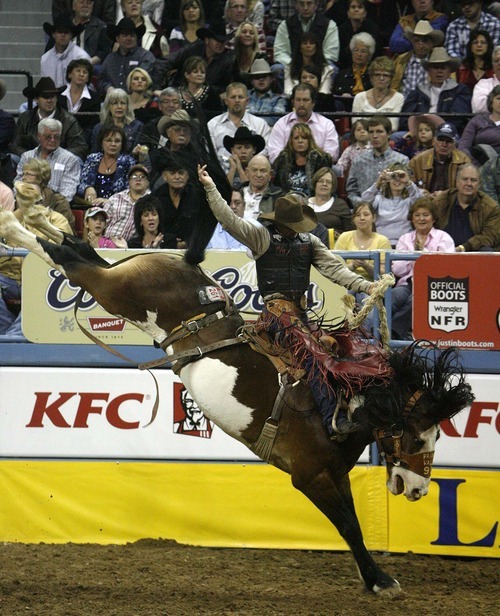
(211, 382)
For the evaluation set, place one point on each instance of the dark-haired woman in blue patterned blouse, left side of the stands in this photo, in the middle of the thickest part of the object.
(105, 172)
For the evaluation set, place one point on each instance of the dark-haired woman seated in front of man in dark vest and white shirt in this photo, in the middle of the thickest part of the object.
(307, 53)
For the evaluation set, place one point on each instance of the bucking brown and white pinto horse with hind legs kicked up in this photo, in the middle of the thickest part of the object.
(237, 387)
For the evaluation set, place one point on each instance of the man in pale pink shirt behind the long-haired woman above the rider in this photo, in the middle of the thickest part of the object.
(323, 130)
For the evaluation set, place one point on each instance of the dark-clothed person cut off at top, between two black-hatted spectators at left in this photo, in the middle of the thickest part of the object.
(92, 34)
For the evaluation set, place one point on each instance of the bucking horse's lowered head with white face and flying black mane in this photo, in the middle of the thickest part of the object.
(427, 389)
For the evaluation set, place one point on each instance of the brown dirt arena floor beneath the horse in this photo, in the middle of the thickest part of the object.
(162, 578)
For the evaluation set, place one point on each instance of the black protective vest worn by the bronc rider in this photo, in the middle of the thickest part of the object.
(285, 267)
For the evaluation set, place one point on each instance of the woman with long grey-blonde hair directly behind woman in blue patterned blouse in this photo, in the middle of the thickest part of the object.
(117, 110)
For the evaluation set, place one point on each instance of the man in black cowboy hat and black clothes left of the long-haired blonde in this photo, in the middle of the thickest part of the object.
(211, 46)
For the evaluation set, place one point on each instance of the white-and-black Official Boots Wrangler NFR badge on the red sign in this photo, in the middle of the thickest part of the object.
(448, 302)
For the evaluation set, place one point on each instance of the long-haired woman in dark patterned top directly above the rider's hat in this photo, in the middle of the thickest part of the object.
(298, 162)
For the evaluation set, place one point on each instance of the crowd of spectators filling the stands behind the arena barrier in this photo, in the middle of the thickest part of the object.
(382, 115)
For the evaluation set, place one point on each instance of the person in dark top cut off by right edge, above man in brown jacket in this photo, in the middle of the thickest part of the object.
(481, 136)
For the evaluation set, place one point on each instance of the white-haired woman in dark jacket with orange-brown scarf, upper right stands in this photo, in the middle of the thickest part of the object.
(355, 79)
